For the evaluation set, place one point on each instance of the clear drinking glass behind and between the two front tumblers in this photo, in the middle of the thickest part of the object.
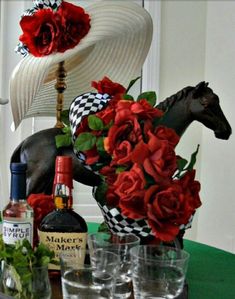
(120, 244)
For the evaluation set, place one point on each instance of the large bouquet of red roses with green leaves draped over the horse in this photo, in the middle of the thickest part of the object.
(143, 179)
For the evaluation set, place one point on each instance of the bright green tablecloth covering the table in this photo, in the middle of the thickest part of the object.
(211, 271)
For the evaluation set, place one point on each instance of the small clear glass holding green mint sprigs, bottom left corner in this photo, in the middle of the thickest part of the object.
(25, 283)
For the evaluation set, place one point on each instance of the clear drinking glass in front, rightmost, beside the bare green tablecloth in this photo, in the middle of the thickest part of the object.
(158, 271)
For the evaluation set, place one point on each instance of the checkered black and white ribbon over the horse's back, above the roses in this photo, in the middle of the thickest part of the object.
(83, 105)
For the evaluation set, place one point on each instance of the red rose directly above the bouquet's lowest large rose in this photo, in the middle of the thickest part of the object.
(158, 158)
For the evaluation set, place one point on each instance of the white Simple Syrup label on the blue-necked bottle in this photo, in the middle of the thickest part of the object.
(13, 231)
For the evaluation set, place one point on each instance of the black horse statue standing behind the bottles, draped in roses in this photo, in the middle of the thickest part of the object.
(39, 151)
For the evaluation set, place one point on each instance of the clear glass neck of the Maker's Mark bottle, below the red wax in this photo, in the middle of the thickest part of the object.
(63, 197)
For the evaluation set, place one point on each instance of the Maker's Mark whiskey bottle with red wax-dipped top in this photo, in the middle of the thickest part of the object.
(63, 228)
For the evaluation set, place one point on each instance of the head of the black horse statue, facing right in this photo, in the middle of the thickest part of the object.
(206, 109)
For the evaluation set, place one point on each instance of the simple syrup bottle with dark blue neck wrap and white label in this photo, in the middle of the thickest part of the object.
(17, 216)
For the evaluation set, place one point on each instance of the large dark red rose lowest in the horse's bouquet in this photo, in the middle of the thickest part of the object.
(167, 210)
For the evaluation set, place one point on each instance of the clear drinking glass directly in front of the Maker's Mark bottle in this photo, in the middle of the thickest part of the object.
(86, 276)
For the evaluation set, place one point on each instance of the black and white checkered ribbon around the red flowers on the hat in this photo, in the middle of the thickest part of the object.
(38, 4)
